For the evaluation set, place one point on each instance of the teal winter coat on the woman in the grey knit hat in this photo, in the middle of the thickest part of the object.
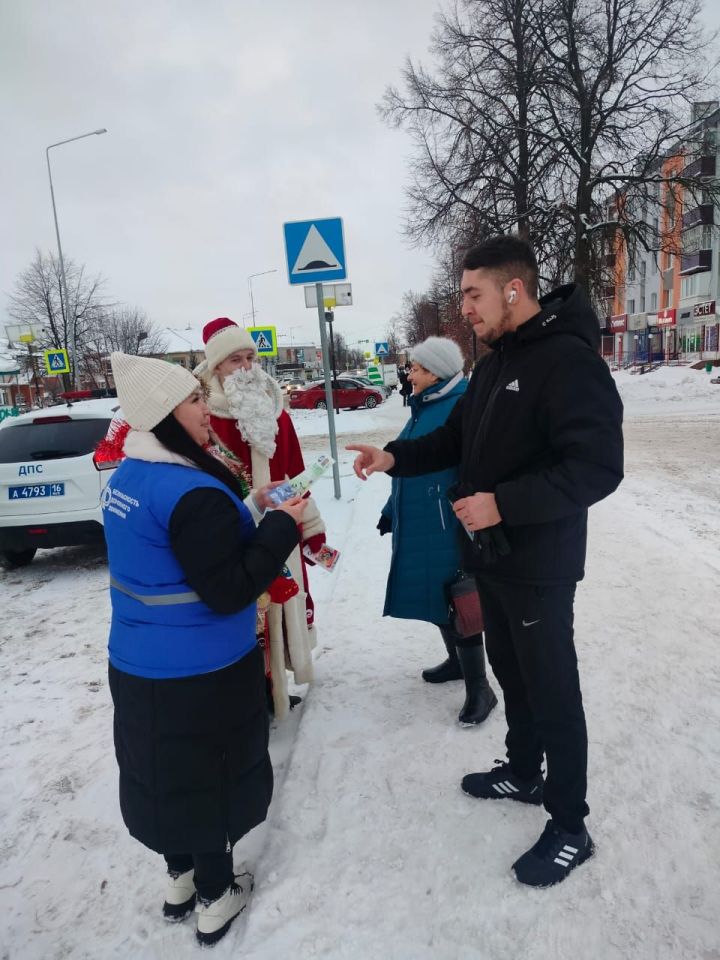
(425, 533)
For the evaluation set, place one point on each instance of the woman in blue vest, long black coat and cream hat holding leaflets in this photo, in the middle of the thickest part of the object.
(187, 564)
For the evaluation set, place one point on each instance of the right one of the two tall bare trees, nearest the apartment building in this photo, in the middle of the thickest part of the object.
(622, 77)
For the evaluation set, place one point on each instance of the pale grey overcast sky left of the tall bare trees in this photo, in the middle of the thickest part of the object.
(225, 119)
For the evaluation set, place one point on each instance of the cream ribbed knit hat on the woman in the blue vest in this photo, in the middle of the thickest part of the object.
(149, 389)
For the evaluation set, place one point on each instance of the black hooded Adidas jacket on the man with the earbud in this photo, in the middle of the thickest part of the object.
(540, 427)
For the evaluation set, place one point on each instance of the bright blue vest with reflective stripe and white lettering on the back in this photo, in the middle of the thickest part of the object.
(160, 626)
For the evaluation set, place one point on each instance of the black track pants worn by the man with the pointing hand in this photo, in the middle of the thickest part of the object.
(529, 642)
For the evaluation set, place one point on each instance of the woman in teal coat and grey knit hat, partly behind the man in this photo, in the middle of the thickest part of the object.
(425, 532)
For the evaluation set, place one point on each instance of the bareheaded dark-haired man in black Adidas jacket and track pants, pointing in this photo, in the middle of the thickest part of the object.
(538, 437)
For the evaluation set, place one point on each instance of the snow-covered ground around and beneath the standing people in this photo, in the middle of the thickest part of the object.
(371, 851)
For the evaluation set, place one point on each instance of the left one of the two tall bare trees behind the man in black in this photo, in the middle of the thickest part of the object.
(484, 163)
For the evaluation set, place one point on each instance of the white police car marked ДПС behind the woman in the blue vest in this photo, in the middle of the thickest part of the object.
(50, 479)
